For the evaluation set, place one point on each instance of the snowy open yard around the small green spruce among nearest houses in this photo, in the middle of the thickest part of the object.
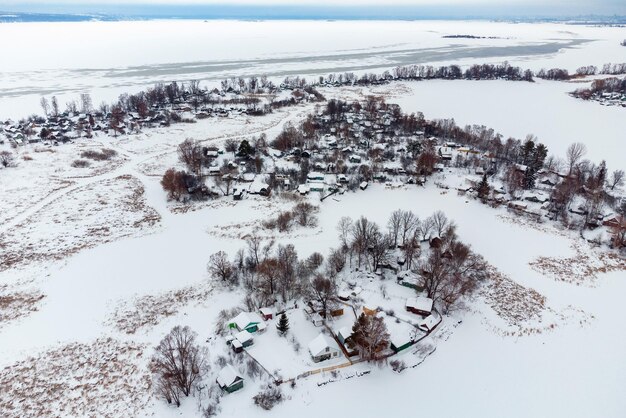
(289, 356)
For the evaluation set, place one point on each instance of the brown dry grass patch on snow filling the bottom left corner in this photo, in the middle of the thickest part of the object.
(105, 378)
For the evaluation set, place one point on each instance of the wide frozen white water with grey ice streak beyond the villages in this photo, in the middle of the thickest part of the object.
(109, 58)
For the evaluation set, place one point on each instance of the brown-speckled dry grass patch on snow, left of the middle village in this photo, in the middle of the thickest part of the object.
(96, 213)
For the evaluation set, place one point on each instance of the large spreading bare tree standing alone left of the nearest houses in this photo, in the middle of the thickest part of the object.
(178, 362)
